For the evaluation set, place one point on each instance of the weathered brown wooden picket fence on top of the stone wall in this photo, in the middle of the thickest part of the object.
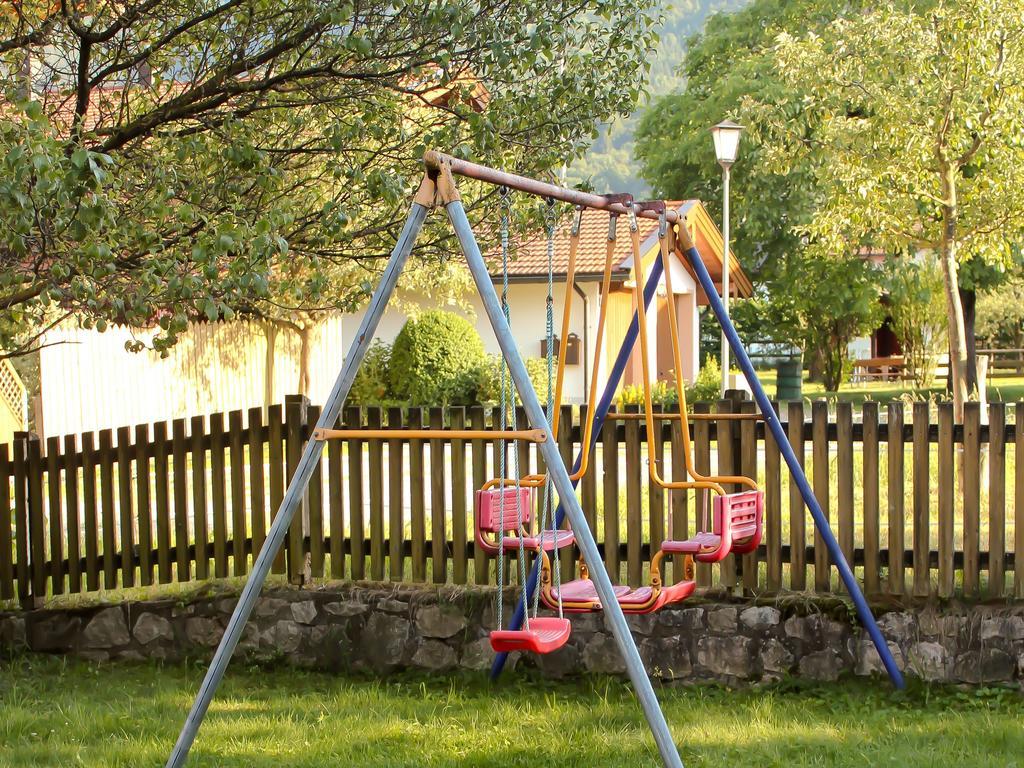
(920, 505)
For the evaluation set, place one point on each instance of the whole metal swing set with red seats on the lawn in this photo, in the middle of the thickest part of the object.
(504, 506)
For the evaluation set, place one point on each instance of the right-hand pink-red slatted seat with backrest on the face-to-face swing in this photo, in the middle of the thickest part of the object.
(737, 527)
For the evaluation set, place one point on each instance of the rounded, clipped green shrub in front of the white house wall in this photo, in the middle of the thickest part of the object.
(433, 357)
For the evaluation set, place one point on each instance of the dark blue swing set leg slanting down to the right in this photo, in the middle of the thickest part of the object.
(774, 423)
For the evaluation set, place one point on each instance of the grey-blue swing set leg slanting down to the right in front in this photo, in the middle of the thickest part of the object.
(567, 495)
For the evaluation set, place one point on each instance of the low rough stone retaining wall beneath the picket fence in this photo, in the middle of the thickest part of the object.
(380, 630)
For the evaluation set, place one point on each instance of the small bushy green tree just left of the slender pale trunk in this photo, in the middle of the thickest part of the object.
(918, 314)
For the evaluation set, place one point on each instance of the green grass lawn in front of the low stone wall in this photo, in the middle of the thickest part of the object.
(55, 713)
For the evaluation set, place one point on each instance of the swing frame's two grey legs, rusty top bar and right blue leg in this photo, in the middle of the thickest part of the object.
(439, 190)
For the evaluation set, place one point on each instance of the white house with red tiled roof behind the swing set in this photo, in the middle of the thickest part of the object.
(528, 293)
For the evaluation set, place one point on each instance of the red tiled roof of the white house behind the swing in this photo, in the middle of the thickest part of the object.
(530, 259)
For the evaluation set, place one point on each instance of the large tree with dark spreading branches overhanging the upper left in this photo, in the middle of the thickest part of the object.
(178, 159)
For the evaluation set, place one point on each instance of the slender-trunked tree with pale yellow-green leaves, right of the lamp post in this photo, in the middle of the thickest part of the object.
(919, 112)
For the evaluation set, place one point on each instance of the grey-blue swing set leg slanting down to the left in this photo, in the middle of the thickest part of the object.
(297, 487)
